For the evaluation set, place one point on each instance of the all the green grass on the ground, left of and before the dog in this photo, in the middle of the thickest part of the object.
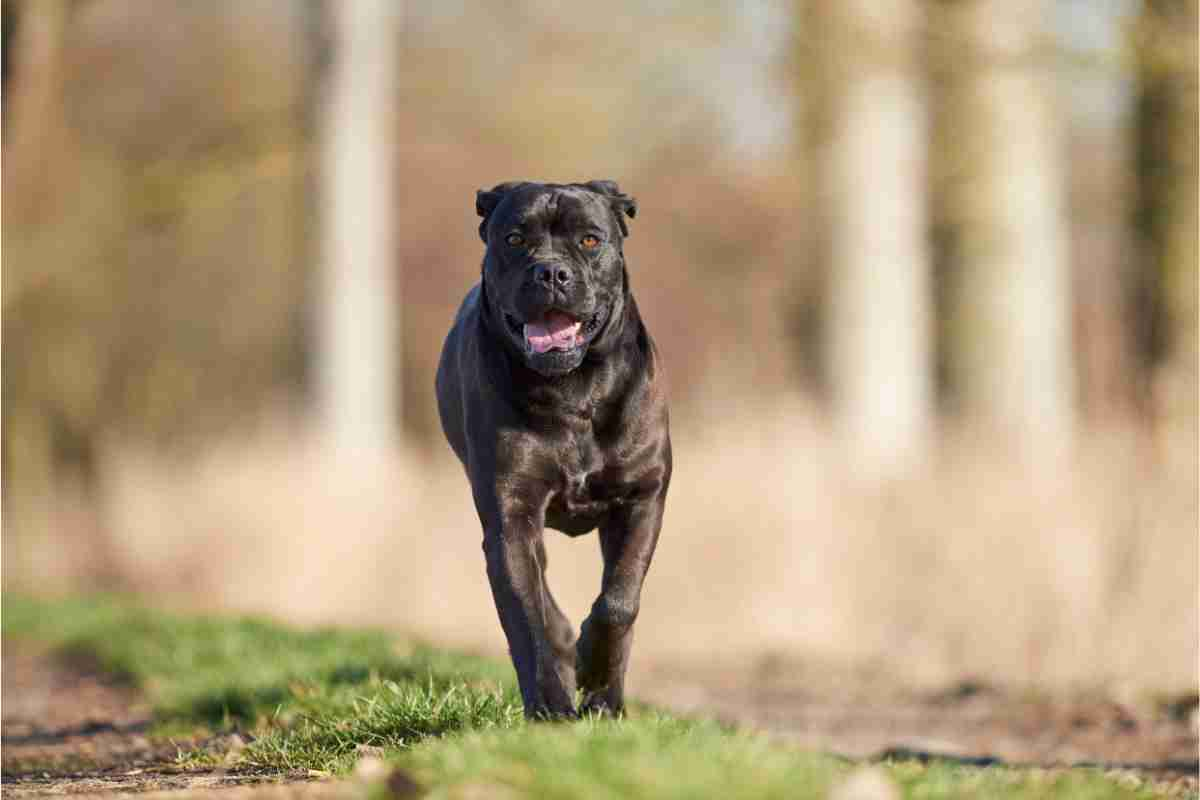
(453, 721)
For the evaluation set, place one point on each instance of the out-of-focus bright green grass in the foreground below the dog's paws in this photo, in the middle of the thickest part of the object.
(663, 759)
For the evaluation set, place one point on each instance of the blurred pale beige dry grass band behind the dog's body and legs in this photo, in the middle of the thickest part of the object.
(1082, 578)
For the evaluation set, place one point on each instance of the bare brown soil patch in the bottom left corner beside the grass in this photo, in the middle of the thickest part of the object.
(69, 729)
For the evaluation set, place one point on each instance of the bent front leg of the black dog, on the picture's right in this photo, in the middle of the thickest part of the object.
(627, 543)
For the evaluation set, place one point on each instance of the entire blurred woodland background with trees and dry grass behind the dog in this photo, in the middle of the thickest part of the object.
(923, 274)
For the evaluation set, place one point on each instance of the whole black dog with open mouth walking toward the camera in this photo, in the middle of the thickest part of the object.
(553, 395)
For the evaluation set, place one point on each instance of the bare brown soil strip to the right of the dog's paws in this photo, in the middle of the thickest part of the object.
(863, 717)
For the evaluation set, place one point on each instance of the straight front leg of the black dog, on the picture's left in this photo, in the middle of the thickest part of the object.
(511, 546)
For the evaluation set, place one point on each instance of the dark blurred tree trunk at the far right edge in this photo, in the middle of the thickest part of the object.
(1166, 210)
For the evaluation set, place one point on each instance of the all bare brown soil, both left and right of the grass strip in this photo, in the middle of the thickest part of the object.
(70, 730)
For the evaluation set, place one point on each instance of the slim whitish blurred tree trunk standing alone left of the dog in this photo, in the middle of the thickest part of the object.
(358, 340)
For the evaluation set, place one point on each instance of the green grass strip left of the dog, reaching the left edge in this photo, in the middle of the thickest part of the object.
(310, 696)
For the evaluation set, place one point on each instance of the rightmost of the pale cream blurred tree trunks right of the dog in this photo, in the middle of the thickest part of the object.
(1011, 334)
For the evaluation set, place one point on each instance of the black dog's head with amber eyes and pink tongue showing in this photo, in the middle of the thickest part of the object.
(555, 272)
